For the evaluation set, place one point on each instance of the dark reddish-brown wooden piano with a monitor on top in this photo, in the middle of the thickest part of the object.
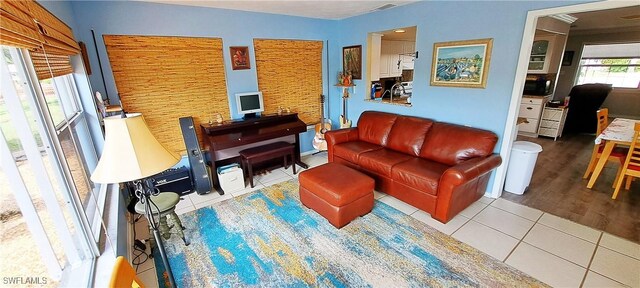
(236, 133)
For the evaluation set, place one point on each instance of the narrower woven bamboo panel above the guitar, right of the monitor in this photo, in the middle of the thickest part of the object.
(290, 75)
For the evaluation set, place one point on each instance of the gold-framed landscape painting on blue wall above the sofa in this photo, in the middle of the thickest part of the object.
(461, 63)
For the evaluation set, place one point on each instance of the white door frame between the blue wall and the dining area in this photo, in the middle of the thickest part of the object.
(510, 129)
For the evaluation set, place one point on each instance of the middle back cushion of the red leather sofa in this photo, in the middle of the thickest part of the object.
(407, 134)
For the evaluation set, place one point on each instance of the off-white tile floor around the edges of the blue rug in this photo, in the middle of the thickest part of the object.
(556, 251)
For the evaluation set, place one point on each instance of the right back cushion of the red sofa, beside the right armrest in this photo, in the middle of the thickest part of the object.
(452, 144)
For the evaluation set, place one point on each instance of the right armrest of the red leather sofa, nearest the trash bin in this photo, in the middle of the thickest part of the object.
(463, 184)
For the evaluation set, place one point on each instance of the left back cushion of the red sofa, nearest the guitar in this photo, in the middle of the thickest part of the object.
(374, 126)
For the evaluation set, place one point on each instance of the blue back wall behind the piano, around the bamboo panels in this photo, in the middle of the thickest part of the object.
(236, 28)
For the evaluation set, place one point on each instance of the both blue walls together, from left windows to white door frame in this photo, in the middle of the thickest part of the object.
(437, 21)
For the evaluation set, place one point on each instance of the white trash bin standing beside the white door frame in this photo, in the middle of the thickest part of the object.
(523, 159)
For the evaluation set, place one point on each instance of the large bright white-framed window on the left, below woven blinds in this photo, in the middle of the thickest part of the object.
(46, 158)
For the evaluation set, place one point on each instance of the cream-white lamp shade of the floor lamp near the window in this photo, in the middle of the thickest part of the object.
(130, 151)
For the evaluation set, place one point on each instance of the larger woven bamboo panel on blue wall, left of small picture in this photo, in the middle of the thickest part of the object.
(166, 78)
